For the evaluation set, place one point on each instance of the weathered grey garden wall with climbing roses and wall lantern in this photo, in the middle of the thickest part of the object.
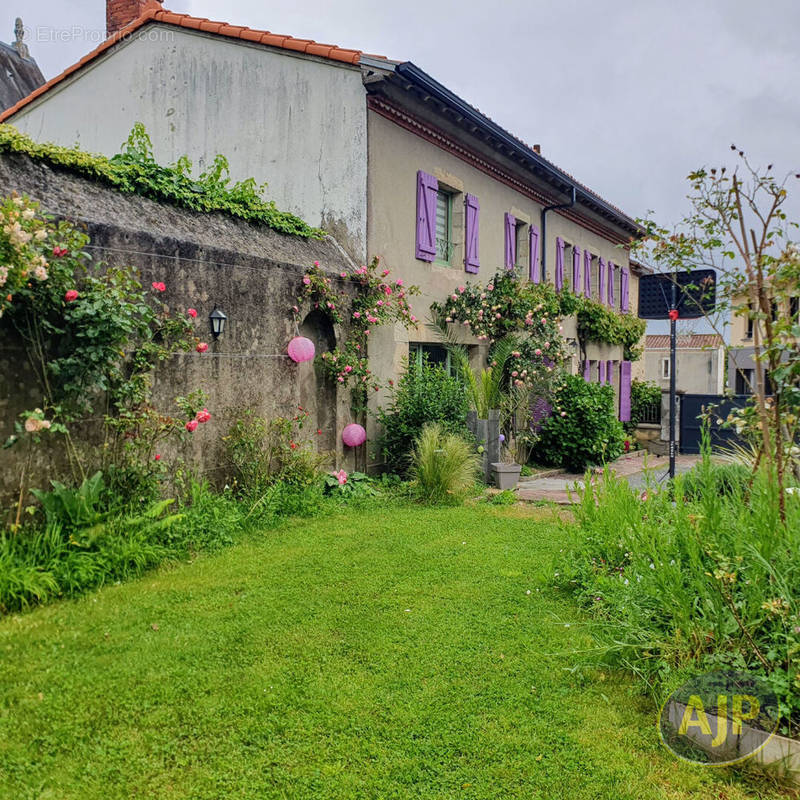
(205, 260)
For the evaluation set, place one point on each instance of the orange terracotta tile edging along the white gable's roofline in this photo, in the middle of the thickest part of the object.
(155, 13)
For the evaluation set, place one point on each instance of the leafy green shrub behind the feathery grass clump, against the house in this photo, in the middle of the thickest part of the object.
(424, 394)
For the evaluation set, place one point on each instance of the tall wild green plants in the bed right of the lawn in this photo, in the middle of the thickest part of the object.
(683, 583)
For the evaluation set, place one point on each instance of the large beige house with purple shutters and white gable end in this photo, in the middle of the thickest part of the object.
(386, 159)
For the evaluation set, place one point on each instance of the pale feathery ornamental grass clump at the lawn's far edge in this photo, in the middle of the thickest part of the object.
(444, 465)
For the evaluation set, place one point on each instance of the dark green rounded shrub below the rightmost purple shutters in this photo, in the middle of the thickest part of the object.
(582, 428)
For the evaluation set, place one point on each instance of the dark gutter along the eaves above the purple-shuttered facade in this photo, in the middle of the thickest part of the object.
(415, 75)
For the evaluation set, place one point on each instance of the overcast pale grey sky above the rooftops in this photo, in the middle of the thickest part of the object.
(626, 95)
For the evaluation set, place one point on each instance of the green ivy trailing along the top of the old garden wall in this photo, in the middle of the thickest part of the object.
(135, 171)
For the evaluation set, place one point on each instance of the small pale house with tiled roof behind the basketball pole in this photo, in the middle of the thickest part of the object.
(700, 362)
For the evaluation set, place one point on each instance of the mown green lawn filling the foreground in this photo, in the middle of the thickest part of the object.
(392, 653)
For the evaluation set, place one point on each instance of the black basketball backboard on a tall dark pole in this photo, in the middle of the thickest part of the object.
(674, 296)
